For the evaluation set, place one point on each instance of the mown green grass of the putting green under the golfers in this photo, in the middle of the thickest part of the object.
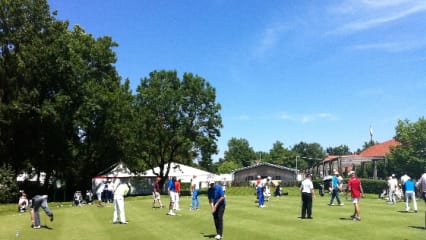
(243, 220)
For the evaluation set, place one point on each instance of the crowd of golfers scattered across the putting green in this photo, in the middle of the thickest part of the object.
(216, 197)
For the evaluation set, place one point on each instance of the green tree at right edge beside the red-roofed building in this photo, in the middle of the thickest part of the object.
(410, 156)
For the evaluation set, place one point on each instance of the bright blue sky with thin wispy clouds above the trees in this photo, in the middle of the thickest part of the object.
(290, 71)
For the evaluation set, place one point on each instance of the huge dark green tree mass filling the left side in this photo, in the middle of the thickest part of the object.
(61, 102)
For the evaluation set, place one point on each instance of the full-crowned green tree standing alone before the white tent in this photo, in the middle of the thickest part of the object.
(177, 120)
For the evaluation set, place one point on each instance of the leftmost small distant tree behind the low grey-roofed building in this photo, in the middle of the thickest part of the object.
(240, 152)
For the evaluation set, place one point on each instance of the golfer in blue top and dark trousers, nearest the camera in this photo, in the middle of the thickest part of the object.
(217, 202)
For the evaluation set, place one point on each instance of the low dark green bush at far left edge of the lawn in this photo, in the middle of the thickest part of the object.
(8, 186)
